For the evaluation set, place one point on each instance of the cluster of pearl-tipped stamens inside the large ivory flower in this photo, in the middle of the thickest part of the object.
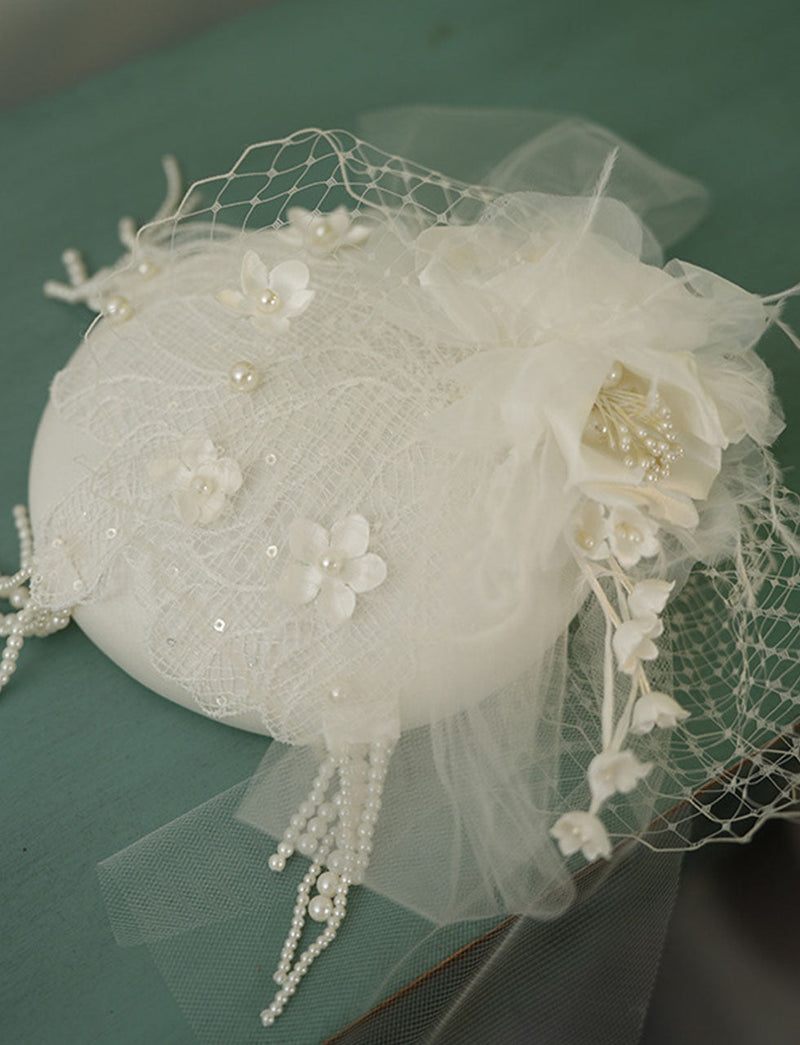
(634, 424)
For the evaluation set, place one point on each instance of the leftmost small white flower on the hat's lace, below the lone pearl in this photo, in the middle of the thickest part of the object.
(202, 479)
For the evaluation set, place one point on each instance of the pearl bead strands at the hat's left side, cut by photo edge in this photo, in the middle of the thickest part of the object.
(30, 619)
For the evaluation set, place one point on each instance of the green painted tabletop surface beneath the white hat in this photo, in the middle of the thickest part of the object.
(90, 761)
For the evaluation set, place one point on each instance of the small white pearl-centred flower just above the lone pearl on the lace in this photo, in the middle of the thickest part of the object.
(270, 297)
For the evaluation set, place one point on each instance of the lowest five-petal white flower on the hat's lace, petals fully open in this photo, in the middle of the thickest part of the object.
(333, 568)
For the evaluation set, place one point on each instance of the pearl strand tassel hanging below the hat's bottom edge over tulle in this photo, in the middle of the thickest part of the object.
(348, 822)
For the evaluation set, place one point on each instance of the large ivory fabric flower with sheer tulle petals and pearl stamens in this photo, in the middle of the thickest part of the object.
(622, 365)
